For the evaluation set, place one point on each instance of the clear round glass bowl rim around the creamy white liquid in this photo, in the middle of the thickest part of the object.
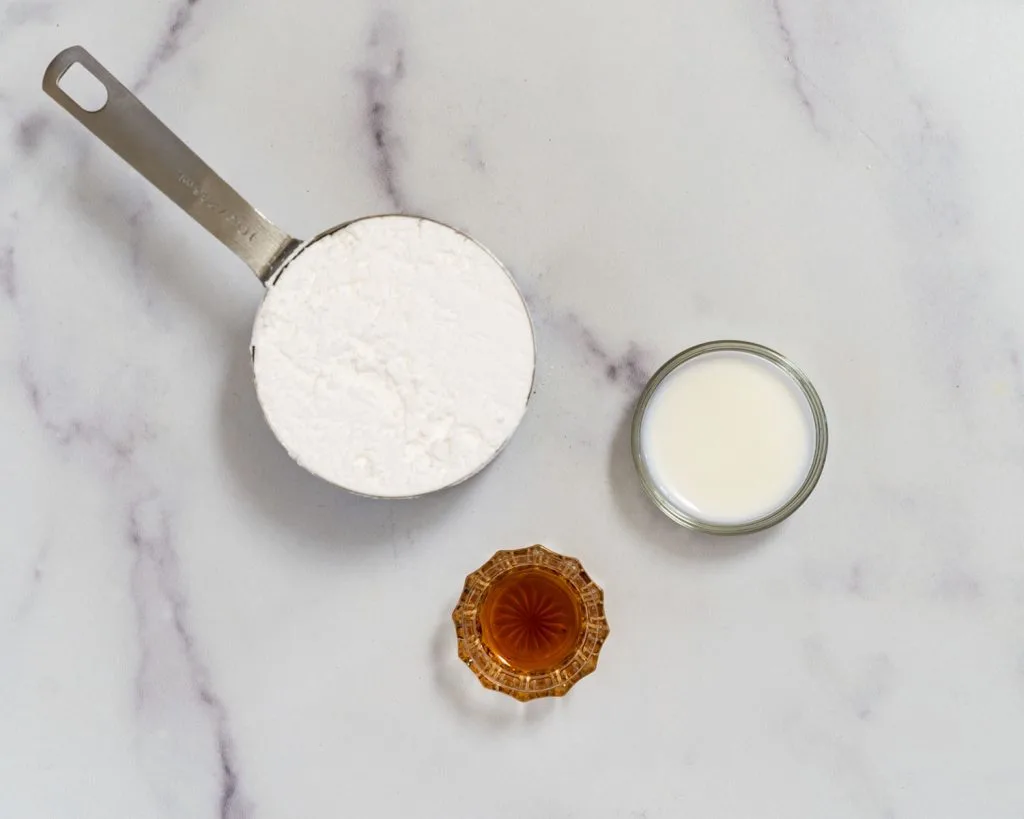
(686, 519)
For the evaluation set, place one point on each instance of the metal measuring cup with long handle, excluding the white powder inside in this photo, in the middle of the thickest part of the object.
(127, 127)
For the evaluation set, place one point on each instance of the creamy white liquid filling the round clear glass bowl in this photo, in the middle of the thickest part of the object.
(729, 438)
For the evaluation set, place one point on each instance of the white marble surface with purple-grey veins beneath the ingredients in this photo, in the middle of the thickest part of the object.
(192, 628)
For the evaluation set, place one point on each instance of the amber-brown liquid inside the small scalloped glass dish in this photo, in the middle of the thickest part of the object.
(532, 620)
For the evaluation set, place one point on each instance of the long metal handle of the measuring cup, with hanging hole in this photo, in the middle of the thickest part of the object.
(133, 132)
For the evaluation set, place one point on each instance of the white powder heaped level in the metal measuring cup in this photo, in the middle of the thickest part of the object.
(394, 357)
